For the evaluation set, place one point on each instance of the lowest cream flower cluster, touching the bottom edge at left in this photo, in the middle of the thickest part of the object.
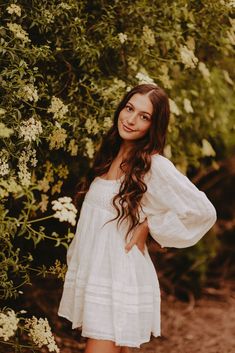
(40, 333)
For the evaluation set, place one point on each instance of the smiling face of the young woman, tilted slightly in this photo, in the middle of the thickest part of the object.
(135, 118)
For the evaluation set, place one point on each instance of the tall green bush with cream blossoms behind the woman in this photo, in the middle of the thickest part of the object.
(64, 67)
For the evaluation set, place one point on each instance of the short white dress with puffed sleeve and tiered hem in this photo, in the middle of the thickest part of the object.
(115, 295)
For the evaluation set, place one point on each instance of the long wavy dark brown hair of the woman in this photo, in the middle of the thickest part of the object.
(138, 161)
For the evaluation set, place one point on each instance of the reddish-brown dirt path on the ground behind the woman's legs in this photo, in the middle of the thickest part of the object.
(207, 326)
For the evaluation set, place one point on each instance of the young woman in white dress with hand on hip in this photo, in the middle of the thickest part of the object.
(111, 287)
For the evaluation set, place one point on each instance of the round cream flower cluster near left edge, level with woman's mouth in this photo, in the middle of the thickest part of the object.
(30, 129)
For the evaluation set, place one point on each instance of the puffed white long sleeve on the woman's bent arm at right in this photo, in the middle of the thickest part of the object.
(177, 212)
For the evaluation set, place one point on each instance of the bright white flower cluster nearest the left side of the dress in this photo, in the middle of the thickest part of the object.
(65, 210)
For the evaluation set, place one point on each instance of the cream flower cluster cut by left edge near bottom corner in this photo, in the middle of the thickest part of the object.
(8, 324)
